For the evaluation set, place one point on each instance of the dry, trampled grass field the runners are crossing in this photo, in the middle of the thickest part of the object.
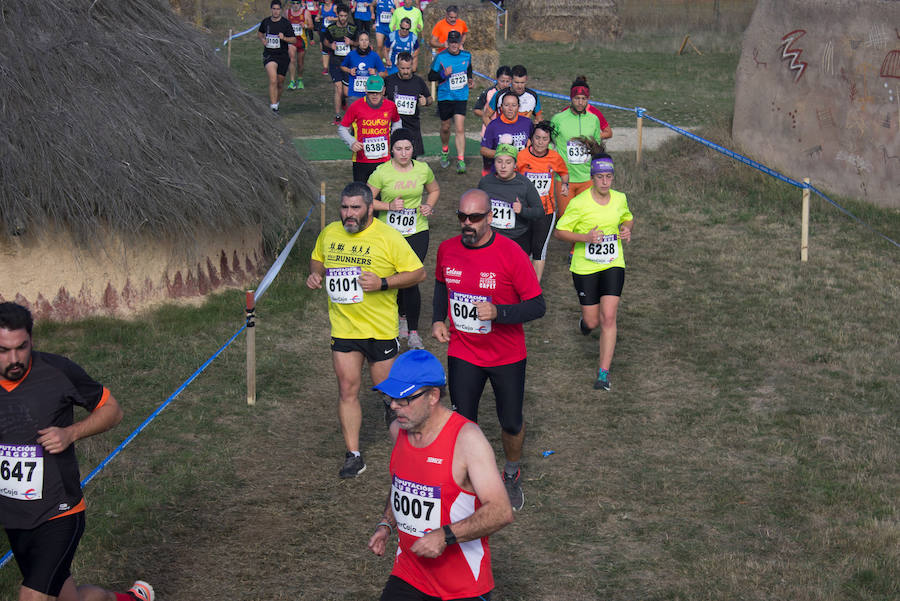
(748, 450)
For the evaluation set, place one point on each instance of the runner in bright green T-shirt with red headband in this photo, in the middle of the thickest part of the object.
(569, 127)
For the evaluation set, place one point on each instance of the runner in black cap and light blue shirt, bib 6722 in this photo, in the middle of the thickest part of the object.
(453, 69)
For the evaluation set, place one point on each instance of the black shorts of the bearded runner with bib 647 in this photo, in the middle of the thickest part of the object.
(45, 553)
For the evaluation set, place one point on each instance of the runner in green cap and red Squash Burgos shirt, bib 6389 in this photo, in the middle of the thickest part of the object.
(373, 118)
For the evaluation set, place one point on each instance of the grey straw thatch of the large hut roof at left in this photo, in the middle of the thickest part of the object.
(125, 119)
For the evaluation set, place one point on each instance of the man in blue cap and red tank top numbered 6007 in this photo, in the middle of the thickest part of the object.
(446, 495)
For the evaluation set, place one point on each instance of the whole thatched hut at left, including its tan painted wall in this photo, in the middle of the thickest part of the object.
(132, 167)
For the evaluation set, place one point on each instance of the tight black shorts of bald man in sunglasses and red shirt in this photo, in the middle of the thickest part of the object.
(466, 381)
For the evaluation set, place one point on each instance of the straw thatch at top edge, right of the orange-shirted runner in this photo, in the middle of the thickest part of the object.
(568, 21)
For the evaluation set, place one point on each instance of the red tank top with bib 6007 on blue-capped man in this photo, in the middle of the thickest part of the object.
(425, 497)
